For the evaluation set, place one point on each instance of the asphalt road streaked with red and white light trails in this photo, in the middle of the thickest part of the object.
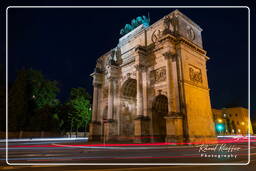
(31, 154)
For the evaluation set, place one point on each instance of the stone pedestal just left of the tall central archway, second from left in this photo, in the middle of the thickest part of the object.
(110, 131)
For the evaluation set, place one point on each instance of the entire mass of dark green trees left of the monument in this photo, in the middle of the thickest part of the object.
(33, 105)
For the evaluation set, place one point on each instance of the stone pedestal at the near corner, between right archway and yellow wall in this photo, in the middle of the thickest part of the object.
(174, 128)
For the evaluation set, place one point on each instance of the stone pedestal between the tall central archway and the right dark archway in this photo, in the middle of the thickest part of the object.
(141, 129)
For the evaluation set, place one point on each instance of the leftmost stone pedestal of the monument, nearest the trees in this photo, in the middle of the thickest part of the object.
(95, 131)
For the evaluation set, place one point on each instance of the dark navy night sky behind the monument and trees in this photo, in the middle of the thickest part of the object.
(65, 43)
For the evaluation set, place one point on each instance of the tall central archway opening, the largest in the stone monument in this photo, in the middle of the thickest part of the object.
(128, 107)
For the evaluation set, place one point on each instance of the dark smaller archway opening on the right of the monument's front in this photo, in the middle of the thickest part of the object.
(159, 110)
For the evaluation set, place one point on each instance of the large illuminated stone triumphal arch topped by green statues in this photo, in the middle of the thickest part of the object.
(153, 85)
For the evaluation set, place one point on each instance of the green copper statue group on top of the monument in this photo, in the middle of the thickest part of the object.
(135, 23)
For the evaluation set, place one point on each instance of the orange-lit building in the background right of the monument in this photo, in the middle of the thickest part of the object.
(232, 121)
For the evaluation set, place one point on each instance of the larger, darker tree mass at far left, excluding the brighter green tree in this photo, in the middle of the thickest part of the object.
(30, 98)
